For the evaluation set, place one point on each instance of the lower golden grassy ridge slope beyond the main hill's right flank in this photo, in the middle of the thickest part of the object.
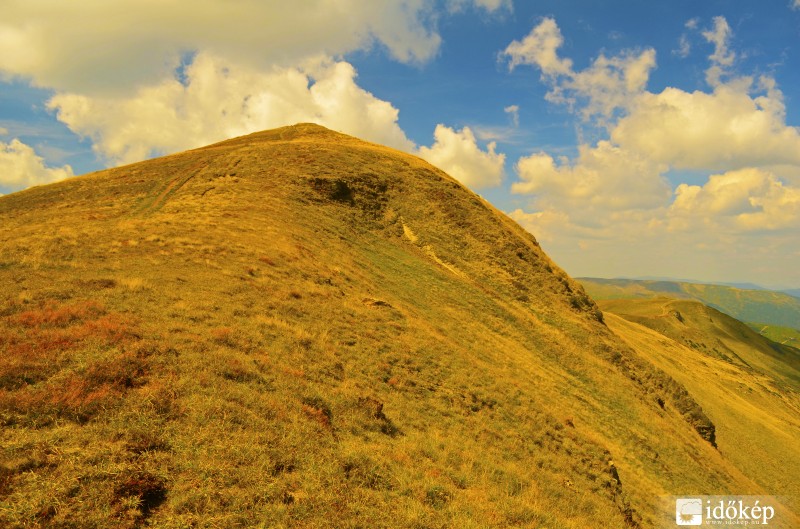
(749, 385)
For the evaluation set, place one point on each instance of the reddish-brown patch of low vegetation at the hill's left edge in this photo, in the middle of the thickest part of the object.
(40, 377)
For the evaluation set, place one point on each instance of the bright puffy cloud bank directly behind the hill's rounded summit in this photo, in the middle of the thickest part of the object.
(216, 100)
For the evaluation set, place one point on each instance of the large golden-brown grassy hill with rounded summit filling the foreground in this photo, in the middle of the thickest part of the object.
(300, 329)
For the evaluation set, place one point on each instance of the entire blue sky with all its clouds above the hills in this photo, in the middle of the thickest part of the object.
(632, 138)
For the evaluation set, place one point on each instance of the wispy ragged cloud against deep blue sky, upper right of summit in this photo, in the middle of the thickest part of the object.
(607, 85)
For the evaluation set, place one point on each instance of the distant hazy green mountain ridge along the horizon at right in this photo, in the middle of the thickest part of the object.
(748, 305)
